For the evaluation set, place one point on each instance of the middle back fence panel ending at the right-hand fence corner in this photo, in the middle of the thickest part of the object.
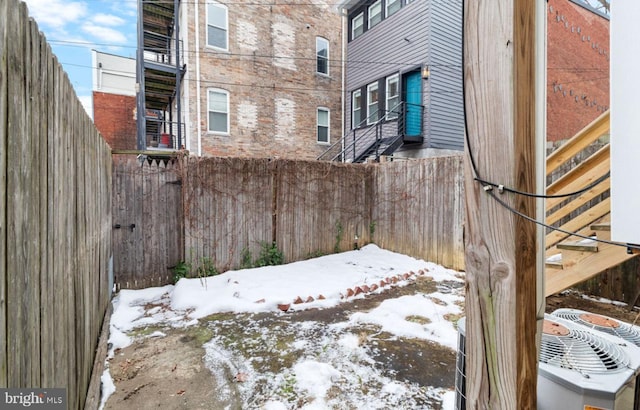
(321, 207)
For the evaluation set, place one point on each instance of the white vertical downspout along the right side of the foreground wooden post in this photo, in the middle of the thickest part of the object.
(541, 155)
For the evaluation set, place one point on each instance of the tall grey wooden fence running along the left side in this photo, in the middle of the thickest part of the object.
(55, 218)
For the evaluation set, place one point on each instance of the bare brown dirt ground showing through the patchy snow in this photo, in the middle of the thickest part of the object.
(169, 372)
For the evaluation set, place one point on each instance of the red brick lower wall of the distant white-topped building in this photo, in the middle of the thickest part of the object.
(114, 117)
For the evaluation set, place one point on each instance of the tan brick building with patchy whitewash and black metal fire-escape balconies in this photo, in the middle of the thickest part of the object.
(256, 79)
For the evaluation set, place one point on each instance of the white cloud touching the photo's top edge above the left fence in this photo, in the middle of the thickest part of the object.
(56, 13)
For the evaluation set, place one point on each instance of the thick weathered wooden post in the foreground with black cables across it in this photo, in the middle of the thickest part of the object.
(500, 247)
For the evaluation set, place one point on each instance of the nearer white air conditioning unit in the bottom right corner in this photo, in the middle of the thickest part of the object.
(582, 369)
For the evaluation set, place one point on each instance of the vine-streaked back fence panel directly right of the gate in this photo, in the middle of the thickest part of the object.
(228, 209)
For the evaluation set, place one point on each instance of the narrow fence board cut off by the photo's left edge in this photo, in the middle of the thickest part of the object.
(4, 102)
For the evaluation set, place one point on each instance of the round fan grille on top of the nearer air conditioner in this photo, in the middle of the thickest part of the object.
(583, 352)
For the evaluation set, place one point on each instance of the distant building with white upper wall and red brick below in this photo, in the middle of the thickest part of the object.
(114, 99)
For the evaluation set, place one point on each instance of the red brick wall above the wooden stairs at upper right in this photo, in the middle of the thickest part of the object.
(577, 68)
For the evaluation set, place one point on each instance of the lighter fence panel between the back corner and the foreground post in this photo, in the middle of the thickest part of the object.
(418, 209)
